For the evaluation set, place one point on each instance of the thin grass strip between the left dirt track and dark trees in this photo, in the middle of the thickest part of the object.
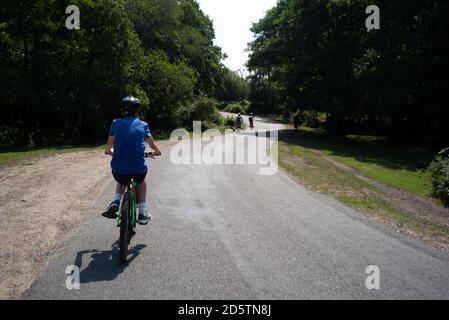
(10, 155)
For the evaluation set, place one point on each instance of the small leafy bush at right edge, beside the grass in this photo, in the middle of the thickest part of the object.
(439, 169)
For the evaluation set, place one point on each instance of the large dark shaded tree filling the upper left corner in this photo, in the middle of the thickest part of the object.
(63, 83)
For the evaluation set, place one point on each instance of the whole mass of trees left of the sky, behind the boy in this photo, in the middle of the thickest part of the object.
(60, 85)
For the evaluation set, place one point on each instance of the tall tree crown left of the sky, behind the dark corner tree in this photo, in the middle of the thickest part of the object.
(183, 32)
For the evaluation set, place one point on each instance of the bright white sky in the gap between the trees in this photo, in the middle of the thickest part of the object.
(232, 22)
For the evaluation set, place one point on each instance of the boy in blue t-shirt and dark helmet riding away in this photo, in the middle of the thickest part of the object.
(126, 145)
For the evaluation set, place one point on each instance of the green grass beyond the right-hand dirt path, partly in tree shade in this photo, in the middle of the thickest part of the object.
(399, 167)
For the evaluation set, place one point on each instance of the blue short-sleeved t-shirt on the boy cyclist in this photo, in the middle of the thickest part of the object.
(129, 146)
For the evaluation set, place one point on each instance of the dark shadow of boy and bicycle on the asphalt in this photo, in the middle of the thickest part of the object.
(104, 265)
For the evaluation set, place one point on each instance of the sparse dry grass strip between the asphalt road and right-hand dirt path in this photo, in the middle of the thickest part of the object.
(319, 174)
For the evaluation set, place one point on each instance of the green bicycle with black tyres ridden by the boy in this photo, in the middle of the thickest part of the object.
(127, 217)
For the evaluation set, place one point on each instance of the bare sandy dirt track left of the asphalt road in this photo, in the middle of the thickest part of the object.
(42, 200)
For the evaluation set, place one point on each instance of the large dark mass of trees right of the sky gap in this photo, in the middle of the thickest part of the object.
(318, 55)
